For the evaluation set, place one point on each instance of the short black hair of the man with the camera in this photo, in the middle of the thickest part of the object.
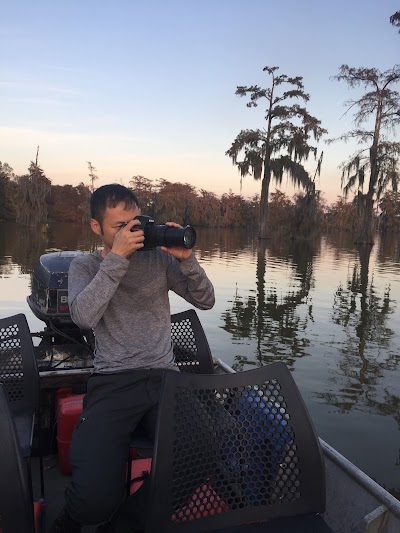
(110, 196)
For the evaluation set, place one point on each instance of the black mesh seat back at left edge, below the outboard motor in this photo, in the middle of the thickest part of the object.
(18, 367)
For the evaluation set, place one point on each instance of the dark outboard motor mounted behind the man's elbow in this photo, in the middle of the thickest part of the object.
(49, 302)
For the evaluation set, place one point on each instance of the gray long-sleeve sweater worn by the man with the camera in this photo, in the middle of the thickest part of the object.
(126, 303)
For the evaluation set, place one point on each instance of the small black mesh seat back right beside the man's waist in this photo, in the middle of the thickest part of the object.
(191, 348)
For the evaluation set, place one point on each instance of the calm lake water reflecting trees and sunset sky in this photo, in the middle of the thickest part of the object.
(330, 314)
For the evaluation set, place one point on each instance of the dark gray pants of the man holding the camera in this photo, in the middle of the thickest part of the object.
(113, 407)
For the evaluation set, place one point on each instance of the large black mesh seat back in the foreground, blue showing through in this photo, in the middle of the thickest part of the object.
(233, 449)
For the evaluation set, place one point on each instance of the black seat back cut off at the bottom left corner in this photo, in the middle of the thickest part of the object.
(16, 508)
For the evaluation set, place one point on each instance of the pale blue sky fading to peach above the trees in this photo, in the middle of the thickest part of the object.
(149, 87)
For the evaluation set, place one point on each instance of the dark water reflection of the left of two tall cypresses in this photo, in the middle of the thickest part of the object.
(274, 319)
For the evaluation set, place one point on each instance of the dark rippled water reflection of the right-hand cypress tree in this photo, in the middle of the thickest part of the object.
(363, 314)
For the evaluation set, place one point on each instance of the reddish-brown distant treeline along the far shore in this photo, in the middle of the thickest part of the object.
(32, 199)
